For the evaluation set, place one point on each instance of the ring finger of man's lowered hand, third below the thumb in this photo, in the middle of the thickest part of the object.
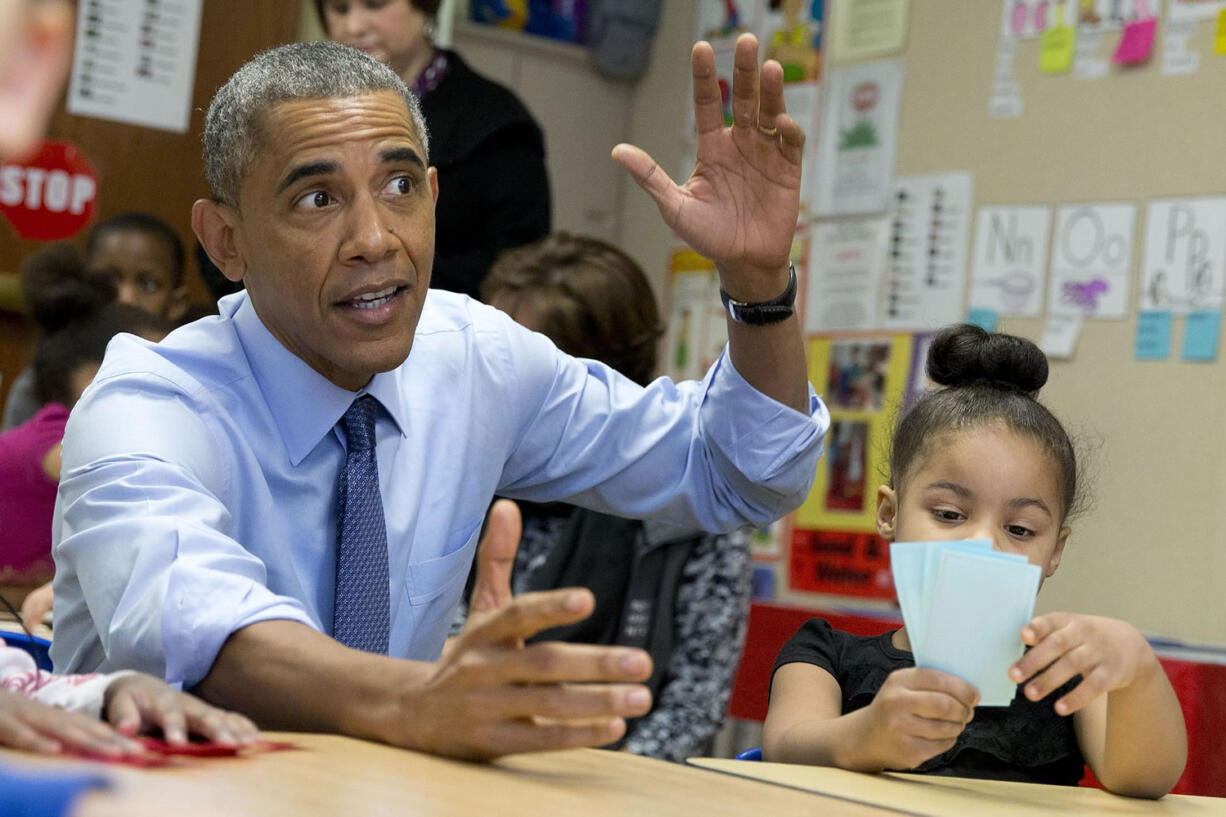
(566, 702)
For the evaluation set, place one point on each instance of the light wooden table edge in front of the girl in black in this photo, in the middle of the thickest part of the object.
(940, 797)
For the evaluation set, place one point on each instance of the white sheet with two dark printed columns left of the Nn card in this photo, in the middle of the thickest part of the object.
(926, 268)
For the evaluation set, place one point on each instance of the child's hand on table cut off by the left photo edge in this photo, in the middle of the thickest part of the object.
(34, 727)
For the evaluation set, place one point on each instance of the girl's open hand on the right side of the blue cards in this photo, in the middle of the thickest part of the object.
(1109, 654)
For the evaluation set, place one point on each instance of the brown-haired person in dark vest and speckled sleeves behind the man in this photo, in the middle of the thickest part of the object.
(681, 594)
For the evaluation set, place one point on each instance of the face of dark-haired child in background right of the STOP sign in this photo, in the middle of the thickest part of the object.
(143, 270)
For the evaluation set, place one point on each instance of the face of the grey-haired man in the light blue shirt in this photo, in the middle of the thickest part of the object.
(335, 234)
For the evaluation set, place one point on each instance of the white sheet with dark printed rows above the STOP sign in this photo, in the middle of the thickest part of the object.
(135, 62)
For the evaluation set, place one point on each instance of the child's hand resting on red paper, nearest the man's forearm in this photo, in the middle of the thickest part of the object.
(140, 702)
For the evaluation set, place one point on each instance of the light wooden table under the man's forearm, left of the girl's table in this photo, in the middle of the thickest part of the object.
(338, 776)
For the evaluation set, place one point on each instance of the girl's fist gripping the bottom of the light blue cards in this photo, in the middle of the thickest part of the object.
(916, 716)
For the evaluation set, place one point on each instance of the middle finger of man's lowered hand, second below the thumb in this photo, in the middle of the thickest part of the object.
(557, 663)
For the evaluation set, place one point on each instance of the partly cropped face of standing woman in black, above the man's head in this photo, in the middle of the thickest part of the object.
(390, 31)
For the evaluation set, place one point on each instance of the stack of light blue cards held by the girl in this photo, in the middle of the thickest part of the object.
(964, 607)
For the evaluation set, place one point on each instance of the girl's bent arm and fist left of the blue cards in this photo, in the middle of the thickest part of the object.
(915, 716)
